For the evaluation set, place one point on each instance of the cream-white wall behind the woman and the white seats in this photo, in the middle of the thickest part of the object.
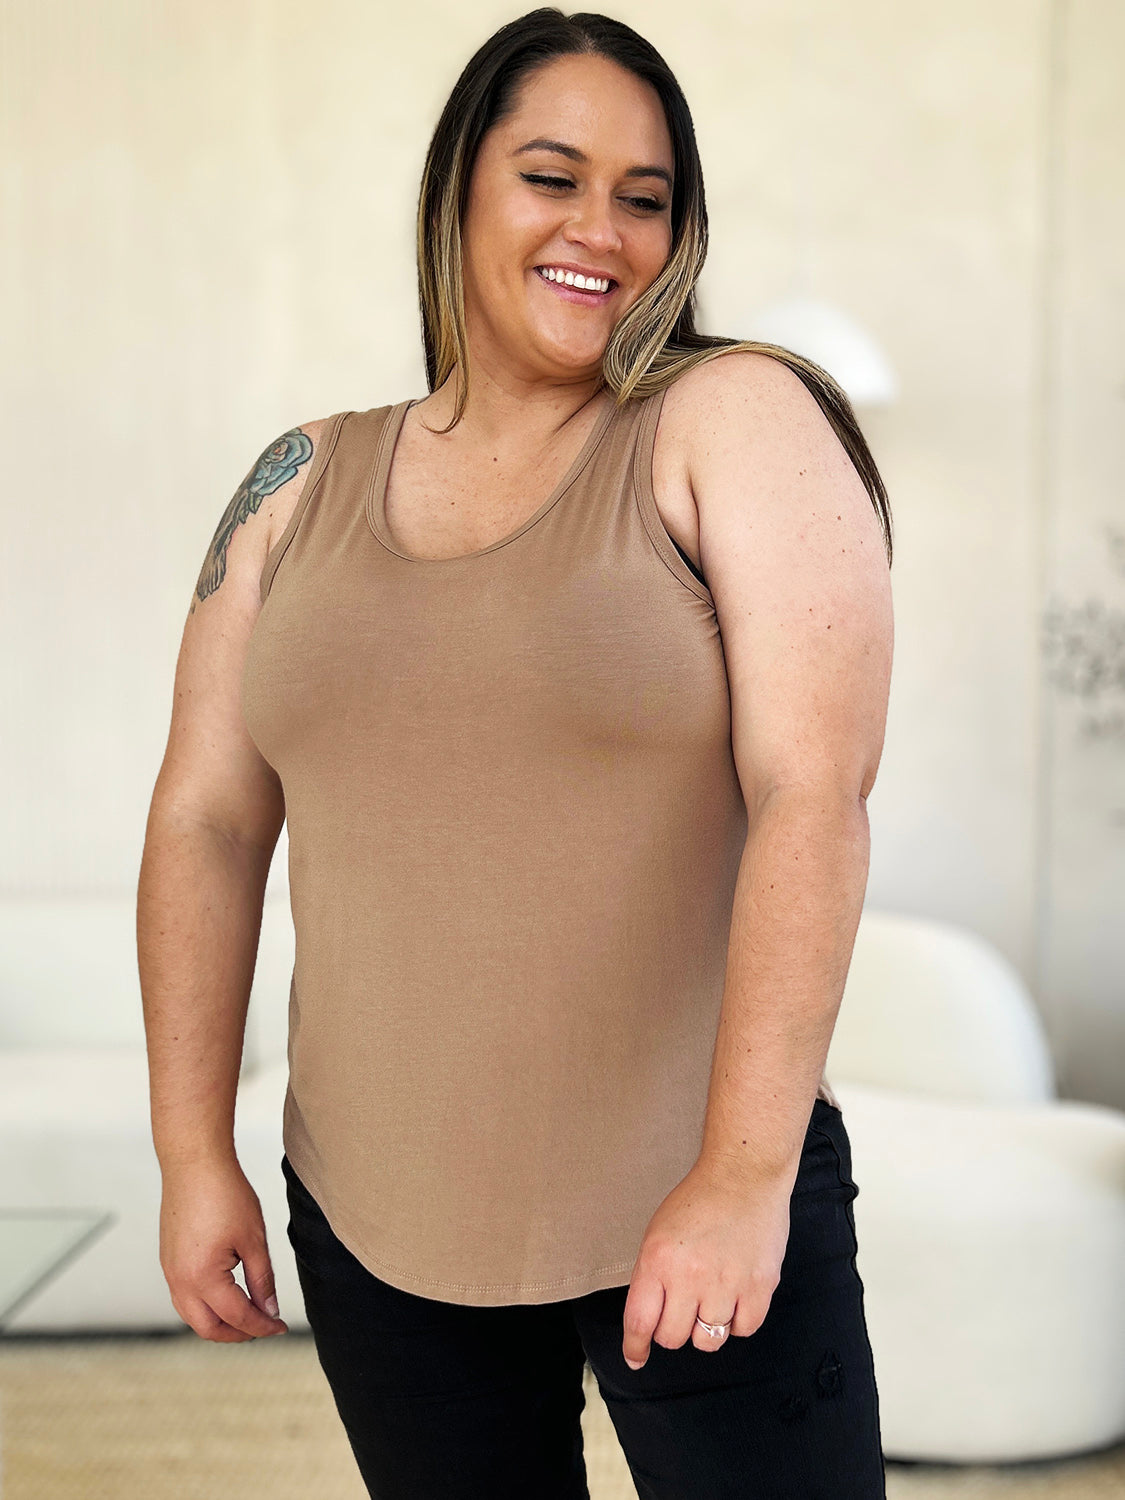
(211, 217)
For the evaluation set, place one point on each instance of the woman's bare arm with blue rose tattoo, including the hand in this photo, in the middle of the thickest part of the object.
(214, 824)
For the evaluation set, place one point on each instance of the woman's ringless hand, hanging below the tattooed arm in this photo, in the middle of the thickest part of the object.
(211, 1220)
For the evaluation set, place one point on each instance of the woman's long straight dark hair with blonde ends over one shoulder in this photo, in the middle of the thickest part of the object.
(655, 341)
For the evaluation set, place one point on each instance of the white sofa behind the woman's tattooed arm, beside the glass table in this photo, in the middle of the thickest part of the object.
(74, 1106)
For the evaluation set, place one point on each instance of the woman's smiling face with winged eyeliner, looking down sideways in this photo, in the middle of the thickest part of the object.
(608, 211)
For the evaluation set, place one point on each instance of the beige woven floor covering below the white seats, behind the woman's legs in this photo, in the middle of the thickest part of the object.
(178, 1418)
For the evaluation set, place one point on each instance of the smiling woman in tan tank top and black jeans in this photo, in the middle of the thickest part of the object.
(571, 680)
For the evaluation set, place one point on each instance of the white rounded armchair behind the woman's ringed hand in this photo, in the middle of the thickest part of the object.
(991, 1214)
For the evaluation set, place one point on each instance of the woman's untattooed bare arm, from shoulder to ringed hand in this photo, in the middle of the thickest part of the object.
(794, 557)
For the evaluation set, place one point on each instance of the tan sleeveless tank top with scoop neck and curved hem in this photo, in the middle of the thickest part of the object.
(515, 829)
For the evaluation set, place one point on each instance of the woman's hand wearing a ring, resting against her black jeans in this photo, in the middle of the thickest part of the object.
(713, 1249)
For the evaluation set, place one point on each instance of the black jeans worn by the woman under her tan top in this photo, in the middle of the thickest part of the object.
(443, 1402)
